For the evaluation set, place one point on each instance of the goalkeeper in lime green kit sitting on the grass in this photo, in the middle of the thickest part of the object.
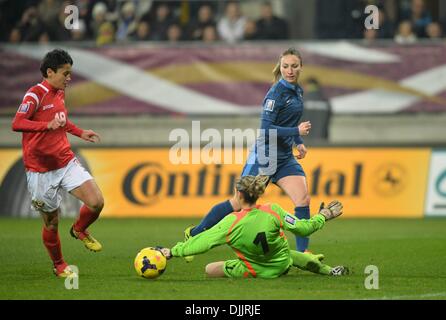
(256, 234)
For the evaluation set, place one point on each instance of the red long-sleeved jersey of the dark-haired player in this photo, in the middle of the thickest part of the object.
(44, 149)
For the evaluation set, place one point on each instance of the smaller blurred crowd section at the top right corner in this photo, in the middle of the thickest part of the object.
(404, 21)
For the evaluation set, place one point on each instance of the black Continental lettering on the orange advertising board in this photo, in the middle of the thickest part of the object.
(147, 183)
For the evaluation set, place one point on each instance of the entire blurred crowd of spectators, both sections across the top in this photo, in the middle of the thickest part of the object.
(112, 21)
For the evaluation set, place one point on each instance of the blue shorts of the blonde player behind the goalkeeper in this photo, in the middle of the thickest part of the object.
(285, 168)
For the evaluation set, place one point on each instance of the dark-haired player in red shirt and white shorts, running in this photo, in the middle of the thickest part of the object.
(49, 161)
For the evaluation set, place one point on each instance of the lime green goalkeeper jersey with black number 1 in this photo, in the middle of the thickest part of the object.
(257, 237)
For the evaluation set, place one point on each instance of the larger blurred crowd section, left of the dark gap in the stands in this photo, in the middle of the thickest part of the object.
(109, 21)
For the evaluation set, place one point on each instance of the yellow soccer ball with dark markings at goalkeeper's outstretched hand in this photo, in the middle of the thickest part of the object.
(150, 263)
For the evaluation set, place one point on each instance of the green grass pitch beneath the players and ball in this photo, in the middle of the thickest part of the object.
(410, 255)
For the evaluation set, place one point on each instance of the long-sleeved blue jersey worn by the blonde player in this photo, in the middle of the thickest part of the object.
(282, 110)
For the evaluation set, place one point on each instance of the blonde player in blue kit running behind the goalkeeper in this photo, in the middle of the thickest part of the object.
(282, 110)
